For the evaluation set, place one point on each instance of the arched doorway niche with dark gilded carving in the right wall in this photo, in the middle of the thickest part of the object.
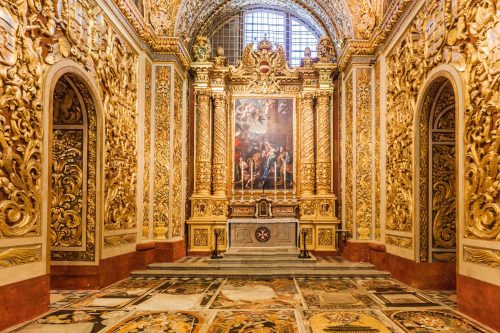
(437, 210)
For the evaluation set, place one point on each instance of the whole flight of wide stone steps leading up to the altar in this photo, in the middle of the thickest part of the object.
(248, 263)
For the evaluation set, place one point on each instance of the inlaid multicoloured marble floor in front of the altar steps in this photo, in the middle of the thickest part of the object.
(254, 305)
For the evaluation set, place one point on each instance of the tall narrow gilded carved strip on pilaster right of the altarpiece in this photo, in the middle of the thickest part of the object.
(364, 143)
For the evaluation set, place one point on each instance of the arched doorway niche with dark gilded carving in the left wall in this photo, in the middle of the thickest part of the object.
(73, 173)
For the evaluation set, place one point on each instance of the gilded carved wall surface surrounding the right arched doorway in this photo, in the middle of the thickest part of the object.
(463, 34)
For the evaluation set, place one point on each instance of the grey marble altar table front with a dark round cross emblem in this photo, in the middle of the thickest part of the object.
(263, 233)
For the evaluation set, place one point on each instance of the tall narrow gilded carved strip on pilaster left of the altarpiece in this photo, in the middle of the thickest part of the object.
(162, 162)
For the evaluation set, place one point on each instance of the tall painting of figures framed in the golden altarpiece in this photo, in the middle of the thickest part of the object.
(263, 143)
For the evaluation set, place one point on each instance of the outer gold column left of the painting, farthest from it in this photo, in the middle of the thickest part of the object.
(203, 140)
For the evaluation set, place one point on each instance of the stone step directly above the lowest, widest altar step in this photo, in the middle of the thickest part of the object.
(249, 266)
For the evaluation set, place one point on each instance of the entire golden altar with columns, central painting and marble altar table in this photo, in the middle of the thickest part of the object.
(263, 153)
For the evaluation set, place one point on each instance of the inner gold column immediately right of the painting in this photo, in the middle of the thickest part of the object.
(307, 144)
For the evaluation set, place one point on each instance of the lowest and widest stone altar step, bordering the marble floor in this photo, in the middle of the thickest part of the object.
(260, 273)
